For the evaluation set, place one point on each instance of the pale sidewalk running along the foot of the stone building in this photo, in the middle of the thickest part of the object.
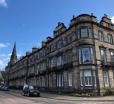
(70, 98)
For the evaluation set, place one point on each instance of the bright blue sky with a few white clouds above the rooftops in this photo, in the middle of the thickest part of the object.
(28, 22)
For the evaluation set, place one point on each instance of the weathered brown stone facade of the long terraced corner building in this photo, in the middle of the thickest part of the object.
(78, 58)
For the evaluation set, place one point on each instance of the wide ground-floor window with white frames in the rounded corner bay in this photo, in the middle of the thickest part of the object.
(87, 78)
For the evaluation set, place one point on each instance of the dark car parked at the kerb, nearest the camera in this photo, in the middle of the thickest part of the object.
(31, 91)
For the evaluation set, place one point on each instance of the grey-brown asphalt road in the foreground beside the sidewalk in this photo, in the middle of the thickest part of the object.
(7, 98)
